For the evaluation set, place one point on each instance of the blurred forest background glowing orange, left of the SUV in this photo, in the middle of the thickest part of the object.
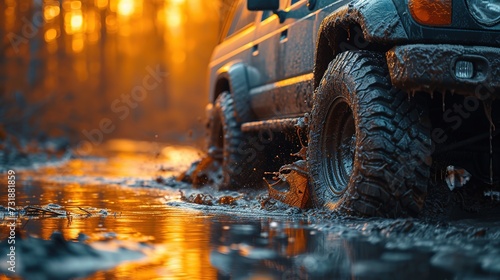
(64, 63)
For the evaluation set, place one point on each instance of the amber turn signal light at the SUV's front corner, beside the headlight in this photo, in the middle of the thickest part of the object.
(431, 12)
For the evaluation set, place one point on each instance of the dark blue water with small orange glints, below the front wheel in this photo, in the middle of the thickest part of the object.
(262, 251)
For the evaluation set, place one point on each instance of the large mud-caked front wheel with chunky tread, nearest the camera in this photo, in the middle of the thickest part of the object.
(383, 168)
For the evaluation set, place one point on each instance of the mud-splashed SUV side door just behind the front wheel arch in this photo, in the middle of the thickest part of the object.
(286, 58)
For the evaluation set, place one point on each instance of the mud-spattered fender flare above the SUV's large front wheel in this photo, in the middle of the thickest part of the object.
(379, 21)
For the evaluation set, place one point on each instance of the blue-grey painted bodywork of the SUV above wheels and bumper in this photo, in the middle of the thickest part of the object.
(281, 63)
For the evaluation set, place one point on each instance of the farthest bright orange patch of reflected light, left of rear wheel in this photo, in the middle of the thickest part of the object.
(130, 162)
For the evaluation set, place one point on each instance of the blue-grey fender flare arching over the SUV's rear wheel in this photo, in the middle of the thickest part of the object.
(237, 78)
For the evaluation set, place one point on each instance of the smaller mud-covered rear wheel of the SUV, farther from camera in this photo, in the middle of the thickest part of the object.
(241, 164)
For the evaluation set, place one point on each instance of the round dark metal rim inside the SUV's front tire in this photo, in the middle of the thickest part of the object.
(338, 146)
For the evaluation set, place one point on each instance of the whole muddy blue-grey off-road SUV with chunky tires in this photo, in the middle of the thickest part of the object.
(375, 94)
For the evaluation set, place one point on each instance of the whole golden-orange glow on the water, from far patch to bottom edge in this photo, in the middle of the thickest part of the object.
(134, 214)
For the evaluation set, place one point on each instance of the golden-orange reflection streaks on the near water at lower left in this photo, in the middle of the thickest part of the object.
(140, 217)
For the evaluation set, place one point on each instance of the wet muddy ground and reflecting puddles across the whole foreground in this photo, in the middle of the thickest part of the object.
(118, 215)
